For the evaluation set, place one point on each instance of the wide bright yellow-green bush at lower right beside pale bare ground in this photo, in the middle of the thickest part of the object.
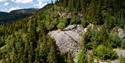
(104, 53)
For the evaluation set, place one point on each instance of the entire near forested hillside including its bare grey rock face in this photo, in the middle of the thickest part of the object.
(67, 31)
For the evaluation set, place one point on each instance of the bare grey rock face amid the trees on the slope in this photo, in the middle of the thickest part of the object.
(68, 39)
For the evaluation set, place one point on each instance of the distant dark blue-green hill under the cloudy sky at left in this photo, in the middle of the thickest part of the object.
(16, 15)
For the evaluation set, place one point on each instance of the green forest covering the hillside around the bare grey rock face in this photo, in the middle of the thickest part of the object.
(27, 41)
